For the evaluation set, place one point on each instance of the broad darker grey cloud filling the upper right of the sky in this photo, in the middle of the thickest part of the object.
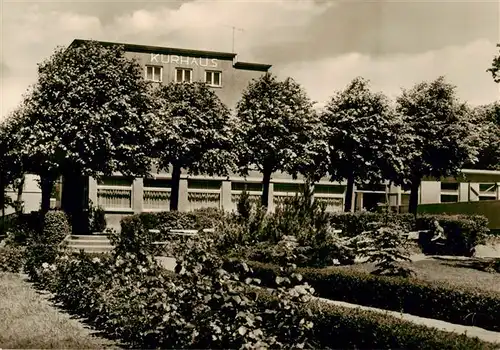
(379, 28)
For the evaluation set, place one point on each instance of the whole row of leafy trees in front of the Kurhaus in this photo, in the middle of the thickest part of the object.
(91, 113)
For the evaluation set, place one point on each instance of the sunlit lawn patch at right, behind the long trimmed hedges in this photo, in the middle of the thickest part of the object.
(456, 271)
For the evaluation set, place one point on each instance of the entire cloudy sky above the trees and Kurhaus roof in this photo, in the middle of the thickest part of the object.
(322, 44)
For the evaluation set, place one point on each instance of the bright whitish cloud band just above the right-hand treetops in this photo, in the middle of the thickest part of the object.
(464, 66)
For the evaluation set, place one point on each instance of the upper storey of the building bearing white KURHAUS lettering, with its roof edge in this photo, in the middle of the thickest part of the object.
(219, 70)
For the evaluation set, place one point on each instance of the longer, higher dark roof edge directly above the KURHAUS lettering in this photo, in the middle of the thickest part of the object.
(162, 50)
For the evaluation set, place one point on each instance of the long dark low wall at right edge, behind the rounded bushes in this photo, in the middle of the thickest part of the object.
(490, 209)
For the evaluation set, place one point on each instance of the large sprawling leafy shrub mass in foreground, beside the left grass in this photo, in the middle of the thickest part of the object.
(202, 306)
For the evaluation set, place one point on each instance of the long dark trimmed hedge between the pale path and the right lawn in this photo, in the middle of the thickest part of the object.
(464, 306)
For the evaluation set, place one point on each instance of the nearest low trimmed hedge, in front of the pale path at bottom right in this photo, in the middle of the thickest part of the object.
(337, 327)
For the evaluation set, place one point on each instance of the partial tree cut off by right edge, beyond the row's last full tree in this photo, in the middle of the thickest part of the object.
(487, 120)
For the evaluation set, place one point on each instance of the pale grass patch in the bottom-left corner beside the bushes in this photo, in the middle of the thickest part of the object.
(29, 321)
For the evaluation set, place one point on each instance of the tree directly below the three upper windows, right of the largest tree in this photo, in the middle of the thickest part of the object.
(194, 133)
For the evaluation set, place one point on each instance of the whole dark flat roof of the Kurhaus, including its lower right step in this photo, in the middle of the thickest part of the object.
(181, 52)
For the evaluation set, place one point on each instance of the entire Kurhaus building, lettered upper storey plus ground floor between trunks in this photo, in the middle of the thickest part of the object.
(121, 196)
